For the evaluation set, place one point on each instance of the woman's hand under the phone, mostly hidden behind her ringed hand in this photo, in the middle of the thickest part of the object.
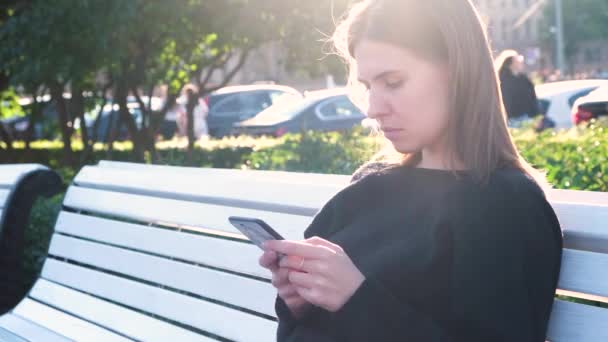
(296, 304)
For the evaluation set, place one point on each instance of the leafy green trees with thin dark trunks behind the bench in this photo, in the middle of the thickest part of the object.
(136, 46)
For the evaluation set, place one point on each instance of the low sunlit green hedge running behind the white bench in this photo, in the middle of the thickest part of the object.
(574, 159)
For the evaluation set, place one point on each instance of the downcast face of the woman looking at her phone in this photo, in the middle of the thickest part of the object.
(408, 96)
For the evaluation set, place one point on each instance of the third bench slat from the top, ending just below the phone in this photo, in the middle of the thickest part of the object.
(236, 256)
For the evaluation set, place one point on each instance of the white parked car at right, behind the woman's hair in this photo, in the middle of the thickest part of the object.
(555, 99)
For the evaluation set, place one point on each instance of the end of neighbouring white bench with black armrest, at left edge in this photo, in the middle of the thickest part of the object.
(20, 186)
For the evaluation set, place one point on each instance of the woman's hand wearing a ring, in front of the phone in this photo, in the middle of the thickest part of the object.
(321, 271)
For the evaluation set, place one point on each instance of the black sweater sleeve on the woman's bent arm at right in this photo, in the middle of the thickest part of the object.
(497, 293)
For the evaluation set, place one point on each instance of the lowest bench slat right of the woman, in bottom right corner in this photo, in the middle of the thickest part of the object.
(577, 322)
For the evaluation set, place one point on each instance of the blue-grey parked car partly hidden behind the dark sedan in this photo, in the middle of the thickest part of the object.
(233, 104)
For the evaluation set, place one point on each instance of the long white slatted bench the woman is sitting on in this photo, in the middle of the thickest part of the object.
(147, 253)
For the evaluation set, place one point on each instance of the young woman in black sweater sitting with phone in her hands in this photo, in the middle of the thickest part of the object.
(451, 241)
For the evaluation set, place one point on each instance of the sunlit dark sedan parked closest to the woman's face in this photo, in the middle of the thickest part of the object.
(327, 110)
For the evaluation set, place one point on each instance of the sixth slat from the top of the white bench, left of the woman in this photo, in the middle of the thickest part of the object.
(123, 320)
